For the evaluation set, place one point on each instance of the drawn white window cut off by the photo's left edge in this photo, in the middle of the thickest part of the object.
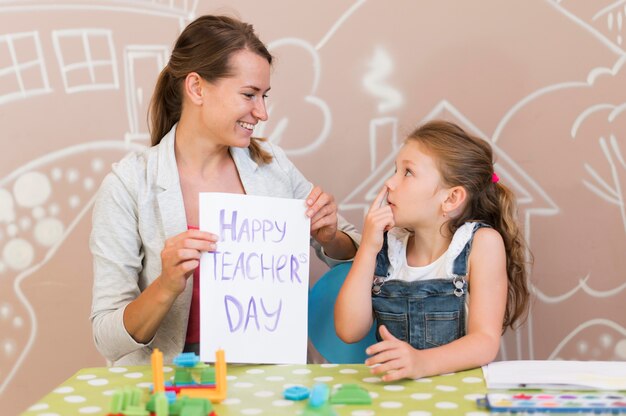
(22, 68)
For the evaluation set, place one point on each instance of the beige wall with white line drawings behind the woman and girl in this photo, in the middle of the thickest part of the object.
(543, 81)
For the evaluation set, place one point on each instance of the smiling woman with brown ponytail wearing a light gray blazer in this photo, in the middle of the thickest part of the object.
(145, 240)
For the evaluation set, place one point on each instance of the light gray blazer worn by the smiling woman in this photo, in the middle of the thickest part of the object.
(139, 206)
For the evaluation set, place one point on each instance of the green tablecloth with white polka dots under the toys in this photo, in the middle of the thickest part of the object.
(258, 390)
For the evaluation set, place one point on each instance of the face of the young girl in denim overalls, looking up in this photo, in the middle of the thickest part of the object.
(416, 193)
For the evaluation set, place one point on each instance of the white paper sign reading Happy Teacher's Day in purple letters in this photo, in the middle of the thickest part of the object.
(254, 287)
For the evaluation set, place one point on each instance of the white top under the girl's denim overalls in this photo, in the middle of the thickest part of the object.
(441, 268)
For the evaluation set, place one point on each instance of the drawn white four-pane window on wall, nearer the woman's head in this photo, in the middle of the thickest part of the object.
(86, 58)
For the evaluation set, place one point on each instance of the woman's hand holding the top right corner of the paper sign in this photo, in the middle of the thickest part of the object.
(323, 213)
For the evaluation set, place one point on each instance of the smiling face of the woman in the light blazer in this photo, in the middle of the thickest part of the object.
(233, 106)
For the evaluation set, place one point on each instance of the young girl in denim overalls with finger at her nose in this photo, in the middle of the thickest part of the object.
(441, 229)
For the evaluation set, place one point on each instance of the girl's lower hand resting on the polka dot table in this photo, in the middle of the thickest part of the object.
(395, 358)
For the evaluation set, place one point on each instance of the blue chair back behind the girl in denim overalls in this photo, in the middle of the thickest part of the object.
(322, 322)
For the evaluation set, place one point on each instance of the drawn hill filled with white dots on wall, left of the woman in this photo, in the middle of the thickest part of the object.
(31, 197)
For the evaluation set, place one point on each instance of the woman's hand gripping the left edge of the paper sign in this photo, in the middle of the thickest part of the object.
(181, 256)
